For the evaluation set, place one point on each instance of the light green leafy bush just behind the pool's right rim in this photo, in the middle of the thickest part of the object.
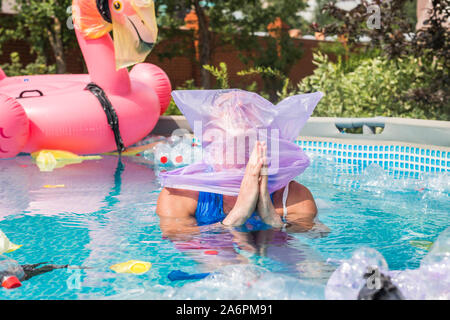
(376, 87)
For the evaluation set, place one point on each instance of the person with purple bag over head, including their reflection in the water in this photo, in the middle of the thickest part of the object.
(239, 184)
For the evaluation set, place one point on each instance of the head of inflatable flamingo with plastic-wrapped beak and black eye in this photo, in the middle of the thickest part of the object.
(132, 22)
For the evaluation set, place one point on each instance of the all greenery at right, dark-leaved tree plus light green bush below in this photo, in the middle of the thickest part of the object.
(411, 72)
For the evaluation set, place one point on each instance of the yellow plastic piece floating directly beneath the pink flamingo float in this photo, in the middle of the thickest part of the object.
(48, 160)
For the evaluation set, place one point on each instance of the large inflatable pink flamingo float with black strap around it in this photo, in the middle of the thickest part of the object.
(107, 109)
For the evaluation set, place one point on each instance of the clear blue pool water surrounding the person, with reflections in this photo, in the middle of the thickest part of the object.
(105, 214)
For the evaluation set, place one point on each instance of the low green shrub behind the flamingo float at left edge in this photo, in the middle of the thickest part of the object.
(16, 68)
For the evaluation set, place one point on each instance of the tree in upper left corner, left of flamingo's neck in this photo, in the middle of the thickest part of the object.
(43, 24)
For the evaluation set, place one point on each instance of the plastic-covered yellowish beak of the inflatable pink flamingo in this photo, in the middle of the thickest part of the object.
(135, 34)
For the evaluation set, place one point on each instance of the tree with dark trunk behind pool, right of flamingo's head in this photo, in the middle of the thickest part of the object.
(238, 22)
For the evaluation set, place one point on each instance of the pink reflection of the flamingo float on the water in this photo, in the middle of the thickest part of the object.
(88, 186)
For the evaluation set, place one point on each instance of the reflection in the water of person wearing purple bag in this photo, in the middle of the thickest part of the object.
(215, 246)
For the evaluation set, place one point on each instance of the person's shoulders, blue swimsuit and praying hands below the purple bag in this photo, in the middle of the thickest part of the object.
(292, 208)
